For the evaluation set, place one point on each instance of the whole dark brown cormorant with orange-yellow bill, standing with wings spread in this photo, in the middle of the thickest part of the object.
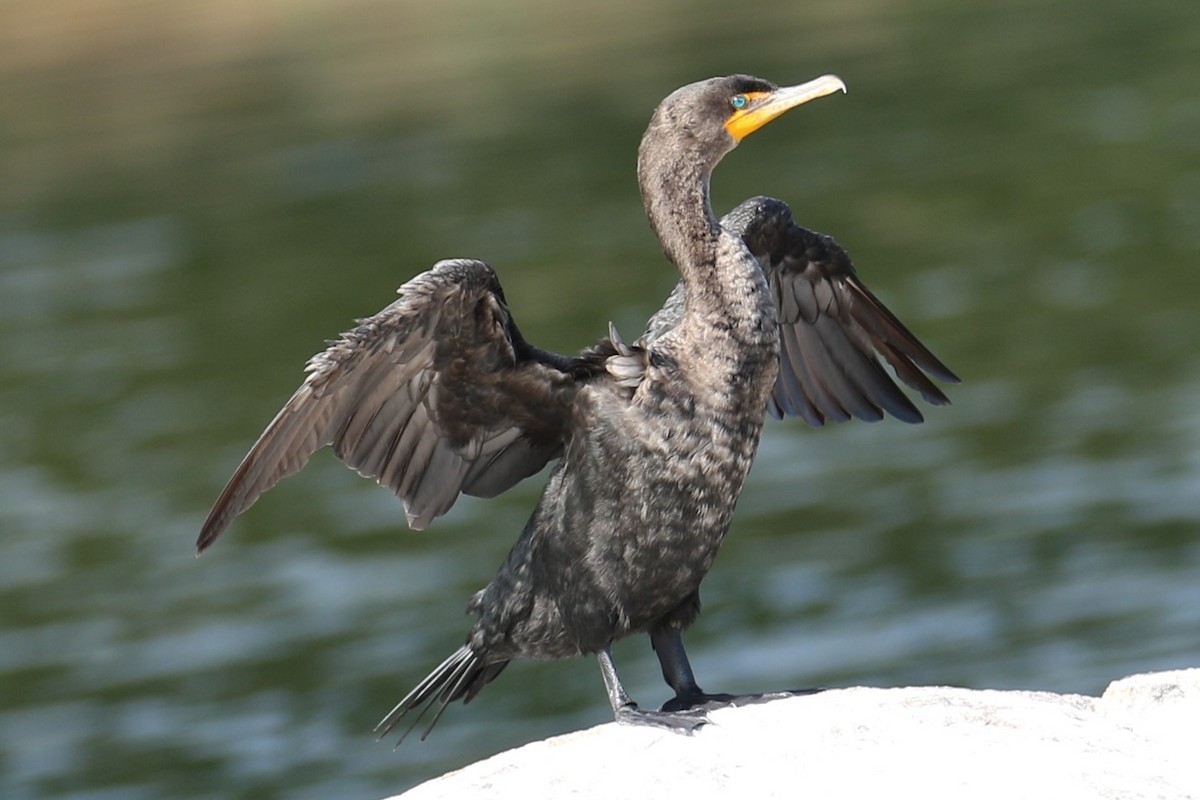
(440, 395)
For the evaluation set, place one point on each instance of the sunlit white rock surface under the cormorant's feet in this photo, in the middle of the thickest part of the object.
(1142, 739)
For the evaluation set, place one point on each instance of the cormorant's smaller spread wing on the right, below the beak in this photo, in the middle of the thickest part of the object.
(835, 334)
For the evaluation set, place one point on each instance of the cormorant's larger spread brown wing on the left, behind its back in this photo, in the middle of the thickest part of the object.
(435, 396)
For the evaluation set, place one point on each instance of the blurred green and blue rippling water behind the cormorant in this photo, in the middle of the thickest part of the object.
(195, 197)
